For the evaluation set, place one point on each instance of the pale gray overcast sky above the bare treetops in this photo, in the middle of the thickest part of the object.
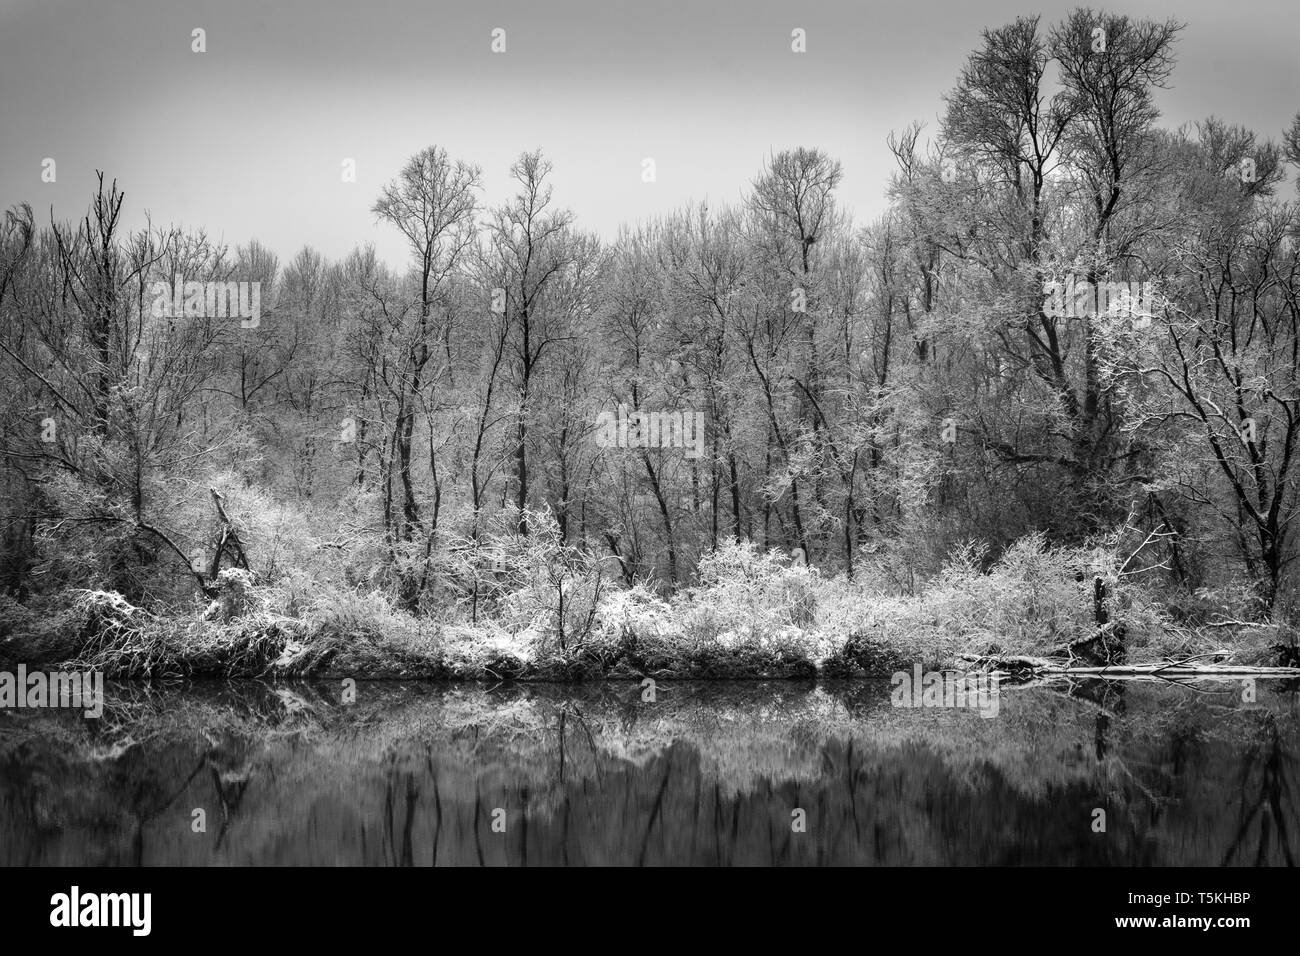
(248, 139)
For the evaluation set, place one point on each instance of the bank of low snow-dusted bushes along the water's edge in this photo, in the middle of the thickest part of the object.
(752, 617)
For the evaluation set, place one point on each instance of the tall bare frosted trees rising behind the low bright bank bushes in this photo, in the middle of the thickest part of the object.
(872, 393)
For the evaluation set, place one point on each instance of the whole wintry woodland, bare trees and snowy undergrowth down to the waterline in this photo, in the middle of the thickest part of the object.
(1054, 387)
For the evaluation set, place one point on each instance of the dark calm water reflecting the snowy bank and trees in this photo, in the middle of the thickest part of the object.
(708, 775)
